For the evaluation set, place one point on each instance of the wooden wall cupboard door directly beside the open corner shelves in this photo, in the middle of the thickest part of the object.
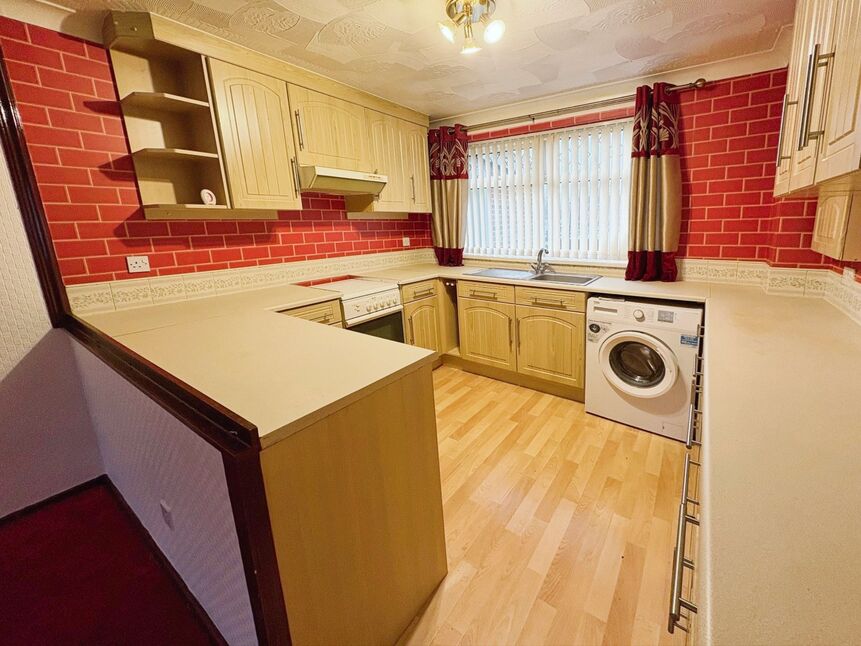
(253, 117)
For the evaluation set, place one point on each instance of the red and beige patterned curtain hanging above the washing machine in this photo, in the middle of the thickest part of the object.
(656, 186)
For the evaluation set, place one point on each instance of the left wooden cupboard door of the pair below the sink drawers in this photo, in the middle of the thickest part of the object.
(487, 333)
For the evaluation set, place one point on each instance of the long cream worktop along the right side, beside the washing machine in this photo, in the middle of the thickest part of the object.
(781, 486)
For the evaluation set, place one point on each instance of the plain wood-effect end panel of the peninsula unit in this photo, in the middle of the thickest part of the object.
(356, 510)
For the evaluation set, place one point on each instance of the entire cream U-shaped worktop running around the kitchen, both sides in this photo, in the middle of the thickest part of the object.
(780, 484)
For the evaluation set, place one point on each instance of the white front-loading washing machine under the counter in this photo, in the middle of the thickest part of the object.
(640, 360)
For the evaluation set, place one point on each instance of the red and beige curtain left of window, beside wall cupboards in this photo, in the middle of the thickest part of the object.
(449, 188)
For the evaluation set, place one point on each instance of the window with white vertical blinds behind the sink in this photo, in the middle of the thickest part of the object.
(565, 190)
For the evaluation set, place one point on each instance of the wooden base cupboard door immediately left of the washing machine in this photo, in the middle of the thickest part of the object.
(551, 345)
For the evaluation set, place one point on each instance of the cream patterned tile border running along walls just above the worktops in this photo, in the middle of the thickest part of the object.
(89, 298)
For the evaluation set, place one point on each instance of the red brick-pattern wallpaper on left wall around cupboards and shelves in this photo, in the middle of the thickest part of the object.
(66, 97)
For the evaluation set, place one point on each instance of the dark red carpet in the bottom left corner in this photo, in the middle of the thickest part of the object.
(77, 571)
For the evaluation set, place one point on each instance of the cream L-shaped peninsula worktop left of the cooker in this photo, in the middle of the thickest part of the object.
(279, 372)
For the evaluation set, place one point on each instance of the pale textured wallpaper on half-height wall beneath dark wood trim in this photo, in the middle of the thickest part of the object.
(150, 457)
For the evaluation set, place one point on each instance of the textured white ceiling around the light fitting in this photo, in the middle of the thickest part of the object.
(393, 48)
